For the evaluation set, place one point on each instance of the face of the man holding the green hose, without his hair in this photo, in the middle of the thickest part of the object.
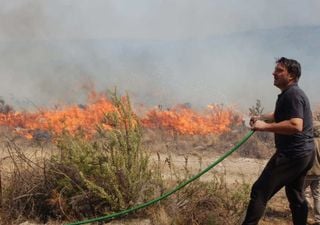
(282, 79)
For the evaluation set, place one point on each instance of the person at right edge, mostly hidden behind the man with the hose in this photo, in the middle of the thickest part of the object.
(313, 175)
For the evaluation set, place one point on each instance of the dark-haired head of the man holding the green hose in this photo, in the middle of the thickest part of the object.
(286, 72)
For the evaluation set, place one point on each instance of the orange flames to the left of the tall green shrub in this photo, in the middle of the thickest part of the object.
(70, 119)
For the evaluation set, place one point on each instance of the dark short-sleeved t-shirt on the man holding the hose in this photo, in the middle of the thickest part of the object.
(293, 103)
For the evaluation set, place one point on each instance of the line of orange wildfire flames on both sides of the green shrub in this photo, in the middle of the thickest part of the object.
(216, 119)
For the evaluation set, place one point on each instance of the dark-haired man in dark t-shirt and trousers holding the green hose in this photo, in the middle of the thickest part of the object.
(291, 122)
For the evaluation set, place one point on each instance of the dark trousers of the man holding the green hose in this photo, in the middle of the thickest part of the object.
(281, 171)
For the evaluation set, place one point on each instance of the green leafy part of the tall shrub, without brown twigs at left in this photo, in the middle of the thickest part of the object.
(113, 170)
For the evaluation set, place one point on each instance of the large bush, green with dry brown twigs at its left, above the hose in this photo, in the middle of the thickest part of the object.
(87, 178)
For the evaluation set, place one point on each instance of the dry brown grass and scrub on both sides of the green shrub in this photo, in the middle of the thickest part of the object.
(33, 192)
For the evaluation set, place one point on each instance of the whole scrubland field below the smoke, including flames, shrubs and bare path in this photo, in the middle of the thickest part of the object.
(73, 172)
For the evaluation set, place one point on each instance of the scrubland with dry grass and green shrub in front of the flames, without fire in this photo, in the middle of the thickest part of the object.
(75, 179)
